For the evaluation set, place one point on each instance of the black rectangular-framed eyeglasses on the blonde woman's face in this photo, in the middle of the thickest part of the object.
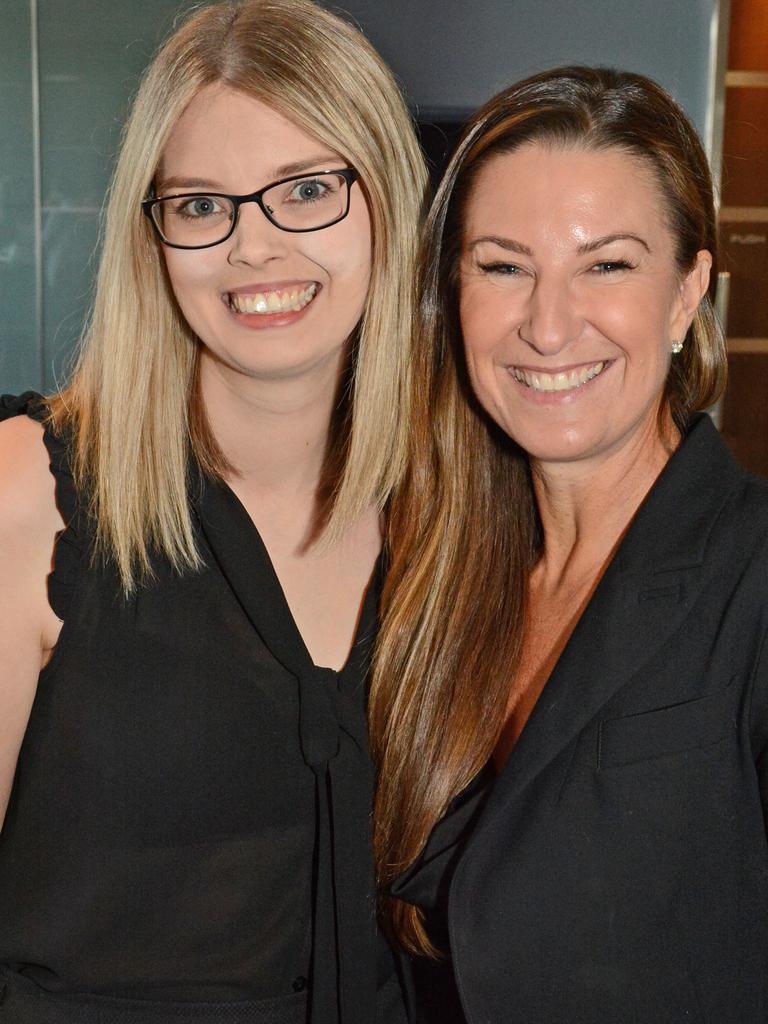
(302, 203)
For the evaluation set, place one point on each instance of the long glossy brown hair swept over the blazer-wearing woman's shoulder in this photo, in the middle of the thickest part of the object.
(464, 531)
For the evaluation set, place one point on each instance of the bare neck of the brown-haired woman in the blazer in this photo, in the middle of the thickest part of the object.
(586, 507)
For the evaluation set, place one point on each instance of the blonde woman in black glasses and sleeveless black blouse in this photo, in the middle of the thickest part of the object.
(190, 536)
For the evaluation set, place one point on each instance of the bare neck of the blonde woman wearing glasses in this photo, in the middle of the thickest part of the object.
(274, 432)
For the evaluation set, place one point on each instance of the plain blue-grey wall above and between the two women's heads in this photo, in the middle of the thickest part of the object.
(456, 55)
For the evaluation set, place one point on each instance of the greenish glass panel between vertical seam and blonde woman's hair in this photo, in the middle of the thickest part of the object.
(90, 67)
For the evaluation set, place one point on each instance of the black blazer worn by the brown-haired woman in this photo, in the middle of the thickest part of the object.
(617, 873)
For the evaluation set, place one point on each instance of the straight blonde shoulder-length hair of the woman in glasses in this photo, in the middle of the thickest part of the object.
(133, 407)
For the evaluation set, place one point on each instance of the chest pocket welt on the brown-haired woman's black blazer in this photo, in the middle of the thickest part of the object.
(659, 733)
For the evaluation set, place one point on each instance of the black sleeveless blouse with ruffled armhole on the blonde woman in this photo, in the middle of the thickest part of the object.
(189, 830)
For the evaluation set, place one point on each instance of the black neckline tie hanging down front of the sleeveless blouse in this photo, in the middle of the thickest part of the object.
(333, 734)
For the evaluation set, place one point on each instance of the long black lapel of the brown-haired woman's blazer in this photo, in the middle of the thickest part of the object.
(641, 603)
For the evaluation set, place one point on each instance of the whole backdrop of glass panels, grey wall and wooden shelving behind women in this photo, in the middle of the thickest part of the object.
(69, 69)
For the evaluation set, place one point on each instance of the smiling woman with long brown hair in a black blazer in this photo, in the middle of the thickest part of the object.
(579, 599)
